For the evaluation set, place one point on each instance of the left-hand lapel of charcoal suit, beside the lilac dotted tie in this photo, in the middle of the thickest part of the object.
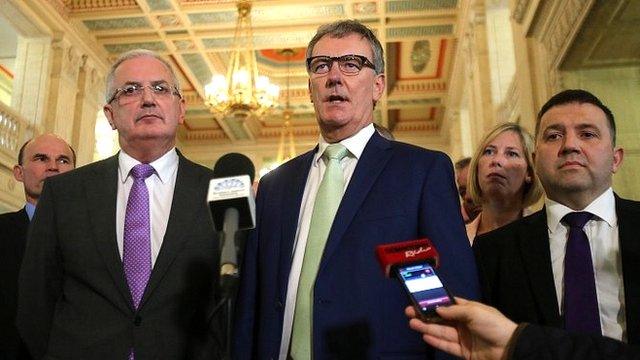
(101, 197)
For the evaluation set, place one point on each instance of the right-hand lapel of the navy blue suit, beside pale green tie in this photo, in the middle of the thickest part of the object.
(375, 156)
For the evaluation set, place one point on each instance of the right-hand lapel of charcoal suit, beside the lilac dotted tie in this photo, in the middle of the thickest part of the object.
(187, 195)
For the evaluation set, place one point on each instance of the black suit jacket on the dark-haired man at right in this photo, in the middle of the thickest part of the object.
(514, 265)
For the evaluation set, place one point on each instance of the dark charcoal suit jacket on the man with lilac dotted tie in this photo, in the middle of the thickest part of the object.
(74, 302)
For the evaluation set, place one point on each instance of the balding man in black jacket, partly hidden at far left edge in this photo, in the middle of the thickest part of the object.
(43, 156)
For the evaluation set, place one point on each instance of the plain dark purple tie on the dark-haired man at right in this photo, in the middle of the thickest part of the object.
(580, 299)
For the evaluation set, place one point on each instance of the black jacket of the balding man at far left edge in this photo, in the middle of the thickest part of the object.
(13, 237)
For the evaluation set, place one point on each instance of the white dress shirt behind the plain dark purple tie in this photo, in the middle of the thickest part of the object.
(602, 232)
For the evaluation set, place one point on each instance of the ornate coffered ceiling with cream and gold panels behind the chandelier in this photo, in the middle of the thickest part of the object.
(196, 36)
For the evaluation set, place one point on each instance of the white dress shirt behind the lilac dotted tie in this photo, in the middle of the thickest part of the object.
(160, 185)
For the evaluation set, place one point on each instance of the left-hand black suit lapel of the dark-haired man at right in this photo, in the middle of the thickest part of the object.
(536, 255)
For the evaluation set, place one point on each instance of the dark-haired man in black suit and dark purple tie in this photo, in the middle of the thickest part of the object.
(528, 268)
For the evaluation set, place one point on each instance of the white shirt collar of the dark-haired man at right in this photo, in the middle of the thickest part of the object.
(604, 207)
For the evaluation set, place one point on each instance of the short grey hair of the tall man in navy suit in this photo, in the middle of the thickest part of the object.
(343, 28)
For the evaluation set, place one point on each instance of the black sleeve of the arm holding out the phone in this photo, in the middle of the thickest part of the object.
(545, 343)
